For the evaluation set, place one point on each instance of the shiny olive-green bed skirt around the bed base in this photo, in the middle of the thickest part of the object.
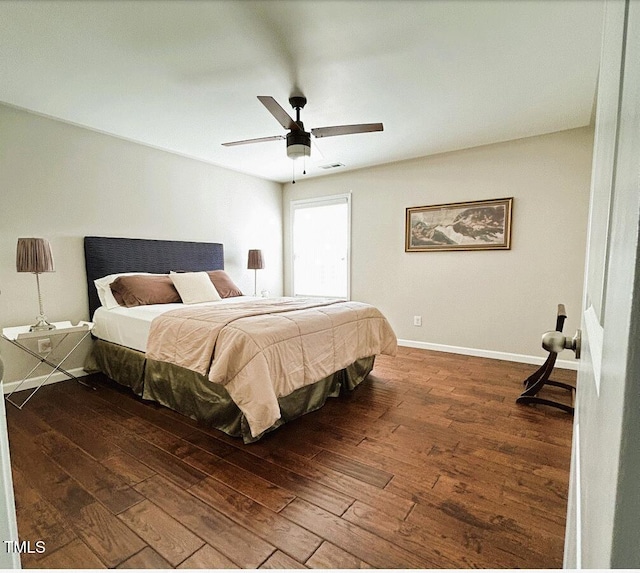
(193, 395)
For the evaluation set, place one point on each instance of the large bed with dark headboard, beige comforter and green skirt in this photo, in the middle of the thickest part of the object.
(244, 365)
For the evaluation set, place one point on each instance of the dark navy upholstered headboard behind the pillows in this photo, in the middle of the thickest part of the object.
(108, 255)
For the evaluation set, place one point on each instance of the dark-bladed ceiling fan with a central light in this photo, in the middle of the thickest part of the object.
(299, 140)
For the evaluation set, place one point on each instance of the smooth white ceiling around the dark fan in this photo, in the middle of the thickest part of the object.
(184, 76)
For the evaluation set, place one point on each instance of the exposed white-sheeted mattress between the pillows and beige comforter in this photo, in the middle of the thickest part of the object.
(130, 326)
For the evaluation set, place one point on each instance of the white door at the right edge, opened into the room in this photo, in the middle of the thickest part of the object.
(603, 519)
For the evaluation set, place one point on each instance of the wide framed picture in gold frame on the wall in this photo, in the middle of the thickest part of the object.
(469, 226)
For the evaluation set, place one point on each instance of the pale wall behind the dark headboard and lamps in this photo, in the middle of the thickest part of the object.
(63, 182)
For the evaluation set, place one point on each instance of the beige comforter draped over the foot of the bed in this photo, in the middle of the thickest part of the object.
(261, 350)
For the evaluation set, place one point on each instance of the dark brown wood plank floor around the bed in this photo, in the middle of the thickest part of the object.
(428, 464)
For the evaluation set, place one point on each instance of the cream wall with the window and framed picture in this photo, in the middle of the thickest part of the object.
(498, 301)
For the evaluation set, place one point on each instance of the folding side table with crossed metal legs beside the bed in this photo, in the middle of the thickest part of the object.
(48, 341)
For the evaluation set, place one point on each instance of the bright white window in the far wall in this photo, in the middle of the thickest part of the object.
(321, 237)
